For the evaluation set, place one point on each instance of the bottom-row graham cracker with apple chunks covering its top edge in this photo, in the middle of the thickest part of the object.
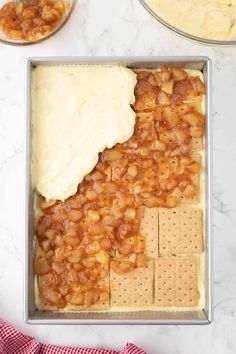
(134, 288)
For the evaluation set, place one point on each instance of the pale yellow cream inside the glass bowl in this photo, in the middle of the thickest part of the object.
(201, 18)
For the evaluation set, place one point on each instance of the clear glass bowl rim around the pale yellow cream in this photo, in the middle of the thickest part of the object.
(185, 34)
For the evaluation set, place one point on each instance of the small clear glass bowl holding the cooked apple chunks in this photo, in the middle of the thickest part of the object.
(69, 7)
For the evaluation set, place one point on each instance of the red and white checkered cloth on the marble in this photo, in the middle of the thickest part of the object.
(15, 342)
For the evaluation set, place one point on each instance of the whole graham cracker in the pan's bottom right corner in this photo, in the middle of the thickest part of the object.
(176, 282)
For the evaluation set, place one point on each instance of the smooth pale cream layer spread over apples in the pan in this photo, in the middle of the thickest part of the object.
(77, 111)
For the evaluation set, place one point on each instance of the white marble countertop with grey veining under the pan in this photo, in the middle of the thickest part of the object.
(119, 27)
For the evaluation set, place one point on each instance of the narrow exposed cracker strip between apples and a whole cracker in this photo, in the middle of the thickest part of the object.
(149, 228)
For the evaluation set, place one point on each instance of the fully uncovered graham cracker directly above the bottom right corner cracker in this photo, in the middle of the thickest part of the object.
(180, 231)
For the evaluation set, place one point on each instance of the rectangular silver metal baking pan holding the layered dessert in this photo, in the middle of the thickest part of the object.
(31, 314)
